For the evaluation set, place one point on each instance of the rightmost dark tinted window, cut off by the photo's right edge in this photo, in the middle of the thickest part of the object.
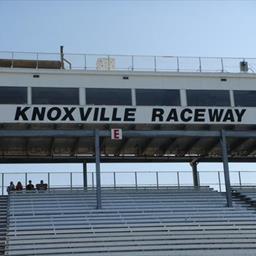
(245, 98)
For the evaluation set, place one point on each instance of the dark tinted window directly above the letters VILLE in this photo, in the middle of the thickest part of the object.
(100, 96)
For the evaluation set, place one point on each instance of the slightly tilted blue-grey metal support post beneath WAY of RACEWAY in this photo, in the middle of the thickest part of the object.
(226, 168)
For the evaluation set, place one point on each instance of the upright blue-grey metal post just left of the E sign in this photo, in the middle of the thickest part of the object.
(97, 162)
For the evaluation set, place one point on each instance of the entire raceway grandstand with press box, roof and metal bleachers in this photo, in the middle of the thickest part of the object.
(94, 109)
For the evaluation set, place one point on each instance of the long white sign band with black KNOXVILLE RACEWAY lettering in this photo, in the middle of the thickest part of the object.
(124, 114)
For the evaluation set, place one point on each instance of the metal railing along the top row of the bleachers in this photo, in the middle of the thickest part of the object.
(136, 179)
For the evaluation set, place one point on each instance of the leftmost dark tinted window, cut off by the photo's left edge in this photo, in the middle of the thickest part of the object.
(13, 95)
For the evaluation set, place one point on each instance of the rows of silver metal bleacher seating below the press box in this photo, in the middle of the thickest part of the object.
(168, 221)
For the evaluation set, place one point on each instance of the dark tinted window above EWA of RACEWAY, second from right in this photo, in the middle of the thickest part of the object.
(208, 98)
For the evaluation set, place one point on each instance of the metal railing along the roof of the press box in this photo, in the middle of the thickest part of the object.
(96, 62)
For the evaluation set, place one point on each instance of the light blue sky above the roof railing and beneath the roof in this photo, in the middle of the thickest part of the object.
(178, 28)
